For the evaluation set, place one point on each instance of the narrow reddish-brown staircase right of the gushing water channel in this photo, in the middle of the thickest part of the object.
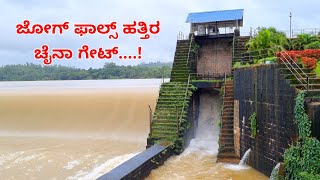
(226, 138)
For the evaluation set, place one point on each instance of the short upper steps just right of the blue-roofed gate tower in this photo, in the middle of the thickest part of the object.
(239, 47)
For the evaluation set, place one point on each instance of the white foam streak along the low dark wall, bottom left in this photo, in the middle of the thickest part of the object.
(98, 171)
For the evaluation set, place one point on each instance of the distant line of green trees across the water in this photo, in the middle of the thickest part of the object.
(33, 72)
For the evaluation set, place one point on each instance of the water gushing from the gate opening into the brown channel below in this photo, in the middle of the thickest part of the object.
(198, 161)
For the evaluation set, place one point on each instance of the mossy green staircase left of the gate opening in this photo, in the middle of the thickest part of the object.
(169, 120)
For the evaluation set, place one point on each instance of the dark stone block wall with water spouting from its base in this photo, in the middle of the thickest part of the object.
(262, 90)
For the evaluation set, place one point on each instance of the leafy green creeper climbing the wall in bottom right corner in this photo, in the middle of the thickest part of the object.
(302, 159)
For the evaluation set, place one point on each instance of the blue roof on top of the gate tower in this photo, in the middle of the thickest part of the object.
(215, 16)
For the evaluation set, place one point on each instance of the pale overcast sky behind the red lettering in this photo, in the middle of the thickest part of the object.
(17, 49)
